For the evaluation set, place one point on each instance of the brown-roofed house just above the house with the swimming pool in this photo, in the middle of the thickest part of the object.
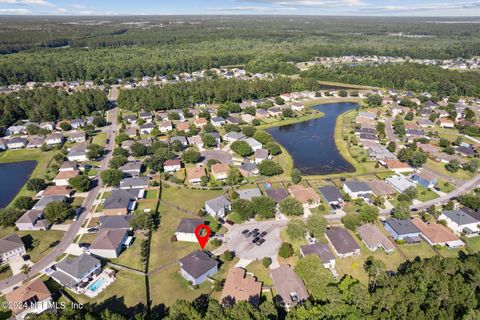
(109, 243)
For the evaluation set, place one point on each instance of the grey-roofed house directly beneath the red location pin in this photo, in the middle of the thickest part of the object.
(198, 267)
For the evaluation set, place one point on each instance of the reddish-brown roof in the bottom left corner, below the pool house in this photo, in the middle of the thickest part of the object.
(35, 291)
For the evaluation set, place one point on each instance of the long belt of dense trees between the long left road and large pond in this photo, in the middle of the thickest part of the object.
(185, 94)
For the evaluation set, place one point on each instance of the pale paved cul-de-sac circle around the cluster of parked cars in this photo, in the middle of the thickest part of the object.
(245, 249)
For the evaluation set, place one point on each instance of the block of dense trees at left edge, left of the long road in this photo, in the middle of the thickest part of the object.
(48, 104)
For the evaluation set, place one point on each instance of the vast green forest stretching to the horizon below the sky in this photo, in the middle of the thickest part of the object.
(53, 48)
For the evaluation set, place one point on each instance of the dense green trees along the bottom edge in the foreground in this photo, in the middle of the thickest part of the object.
(436, 288)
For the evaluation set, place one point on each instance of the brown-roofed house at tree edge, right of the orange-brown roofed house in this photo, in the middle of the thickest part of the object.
(290, 288)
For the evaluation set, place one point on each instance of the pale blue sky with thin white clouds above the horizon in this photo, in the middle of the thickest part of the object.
(462, 8)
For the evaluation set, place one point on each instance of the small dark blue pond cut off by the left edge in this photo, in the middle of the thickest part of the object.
(12, 178)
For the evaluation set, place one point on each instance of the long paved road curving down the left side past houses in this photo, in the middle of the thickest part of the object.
(69, 236)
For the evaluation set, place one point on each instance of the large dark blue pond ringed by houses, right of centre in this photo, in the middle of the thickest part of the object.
(311, 143)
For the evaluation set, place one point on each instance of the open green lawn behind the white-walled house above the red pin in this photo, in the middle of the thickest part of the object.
(188, 199)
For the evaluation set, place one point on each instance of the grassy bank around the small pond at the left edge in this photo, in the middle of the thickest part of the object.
(41, 170)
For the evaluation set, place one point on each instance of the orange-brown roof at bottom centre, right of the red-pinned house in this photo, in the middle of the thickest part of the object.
(240, 288)
